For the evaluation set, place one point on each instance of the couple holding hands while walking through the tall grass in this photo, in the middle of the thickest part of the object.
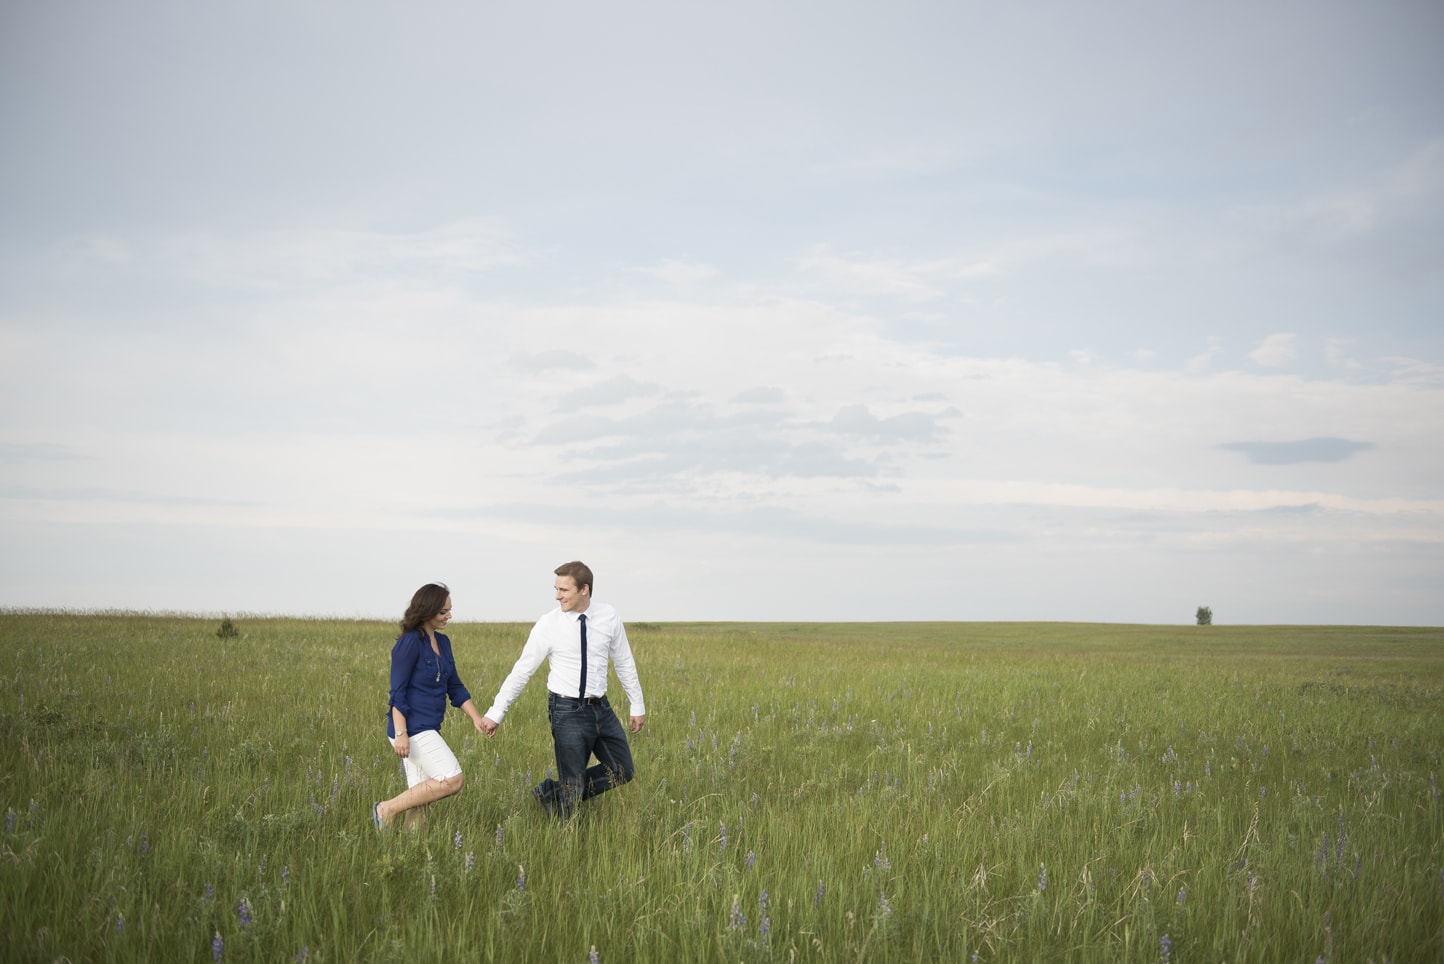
(580, 639)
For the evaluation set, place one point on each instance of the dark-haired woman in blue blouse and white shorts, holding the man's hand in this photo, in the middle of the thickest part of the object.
(424, 675)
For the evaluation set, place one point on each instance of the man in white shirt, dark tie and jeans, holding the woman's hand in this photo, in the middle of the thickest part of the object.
(578, 639)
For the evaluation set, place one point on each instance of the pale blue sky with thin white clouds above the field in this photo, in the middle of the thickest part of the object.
(766, 311)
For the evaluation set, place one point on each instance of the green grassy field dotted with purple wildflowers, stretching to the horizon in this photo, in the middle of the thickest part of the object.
(811, 793)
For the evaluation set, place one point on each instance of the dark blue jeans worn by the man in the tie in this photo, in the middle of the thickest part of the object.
(581, 731)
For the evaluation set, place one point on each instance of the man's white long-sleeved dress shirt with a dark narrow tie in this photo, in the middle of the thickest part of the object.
(558, 637)
